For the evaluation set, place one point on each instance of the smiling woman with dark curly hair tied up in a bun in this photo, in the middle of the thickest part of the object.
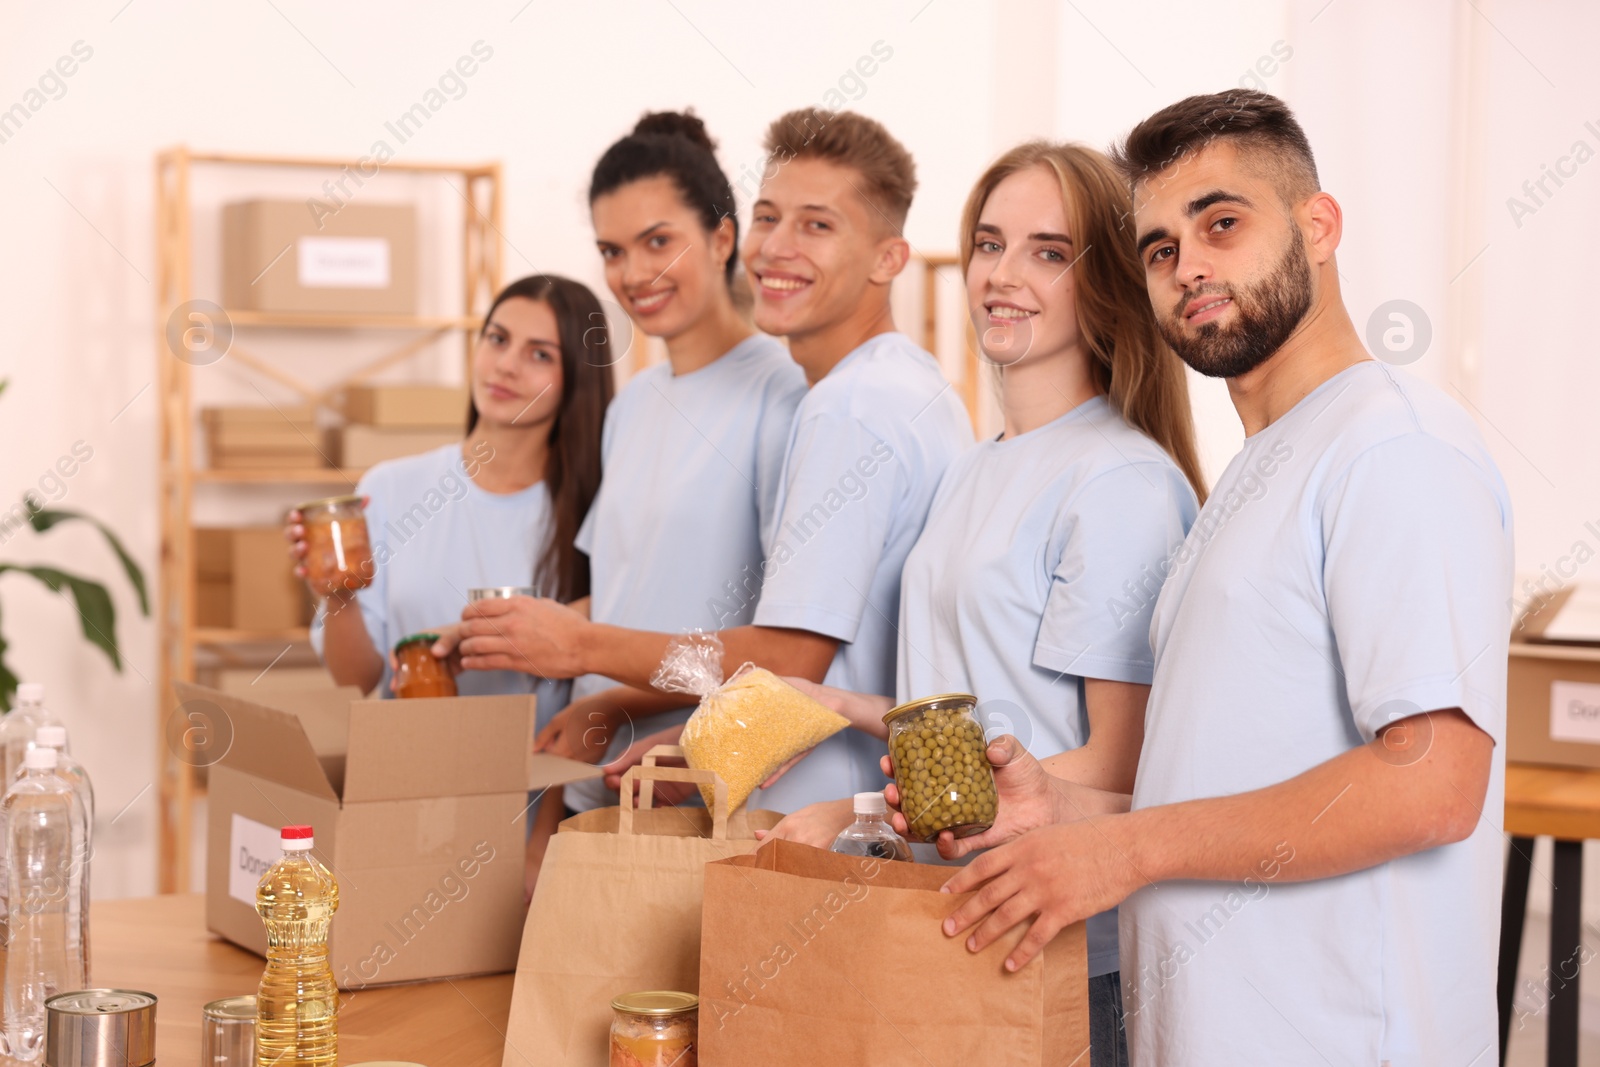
(694, 447)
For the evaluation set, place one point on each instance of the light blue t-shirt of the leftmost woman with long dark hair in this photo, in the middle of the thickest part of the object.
(436, 535)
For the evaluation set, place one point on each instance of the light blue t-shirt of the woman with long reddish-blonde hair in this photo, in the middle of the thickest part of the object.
(1036, 572)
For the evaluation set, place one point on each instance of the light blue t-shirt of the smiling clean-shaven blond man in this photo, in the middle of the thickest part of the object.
(866, 454)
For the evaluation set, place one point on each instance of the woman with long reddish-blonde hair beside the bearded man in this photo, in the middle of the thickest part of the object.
(1034, 580)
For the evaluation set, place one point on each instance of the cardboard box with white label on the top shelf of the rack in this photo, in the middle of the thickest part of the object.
(278, 257)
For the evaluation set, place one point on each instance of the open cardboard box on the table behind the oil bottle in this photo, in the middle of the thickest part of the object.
(420, 809)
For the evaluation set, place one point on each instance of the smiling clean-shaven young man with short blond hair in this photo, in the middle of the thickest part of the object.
(868, 449)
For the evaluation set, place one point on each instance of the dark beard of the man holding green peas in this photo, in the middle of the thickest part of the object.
(1268, 314)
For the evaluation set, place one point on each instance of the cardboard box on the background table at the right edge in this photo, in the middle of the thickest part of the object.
(1553, 687)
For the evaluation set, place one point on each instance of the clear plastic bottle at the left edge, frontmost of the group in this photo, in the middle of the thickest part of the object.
(44, 833)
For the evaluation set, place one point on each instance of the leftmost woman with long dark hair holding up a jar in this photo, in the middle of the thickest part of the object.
(502, 508)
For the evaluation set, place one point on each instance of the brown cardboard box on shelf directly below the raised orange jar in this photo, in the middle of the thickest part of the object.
(244, 580)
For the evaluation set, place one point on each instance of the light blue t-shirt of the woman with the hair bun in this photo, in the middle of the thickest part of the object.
(690, 476)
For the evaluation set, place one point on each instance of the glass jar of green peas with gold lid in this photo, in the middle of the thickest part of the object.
(942, 767)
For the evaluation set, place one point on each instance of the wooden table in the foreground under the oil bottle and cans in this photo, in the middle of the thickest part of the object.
(161, 946)
